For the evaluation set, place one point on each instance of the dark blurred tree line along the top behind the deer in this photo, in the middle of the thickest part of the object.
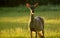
(23, 2)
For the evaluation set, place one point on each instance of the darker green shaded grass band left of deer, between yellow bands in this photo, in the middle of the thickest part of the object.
(13, 25)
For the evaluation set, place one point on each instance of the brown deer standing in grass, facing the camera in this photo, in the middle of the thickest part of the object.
(36, 23)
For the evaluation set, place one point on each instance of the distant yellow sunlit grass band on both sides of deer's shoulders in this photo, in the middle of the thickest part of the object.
(26, 20)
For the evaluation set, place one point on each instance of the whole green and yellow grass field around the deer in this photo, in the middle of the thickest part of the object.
(14, 21)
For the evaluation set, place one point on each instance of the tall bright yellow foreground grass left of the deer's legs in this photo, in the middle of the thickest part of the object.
(18, 32)
